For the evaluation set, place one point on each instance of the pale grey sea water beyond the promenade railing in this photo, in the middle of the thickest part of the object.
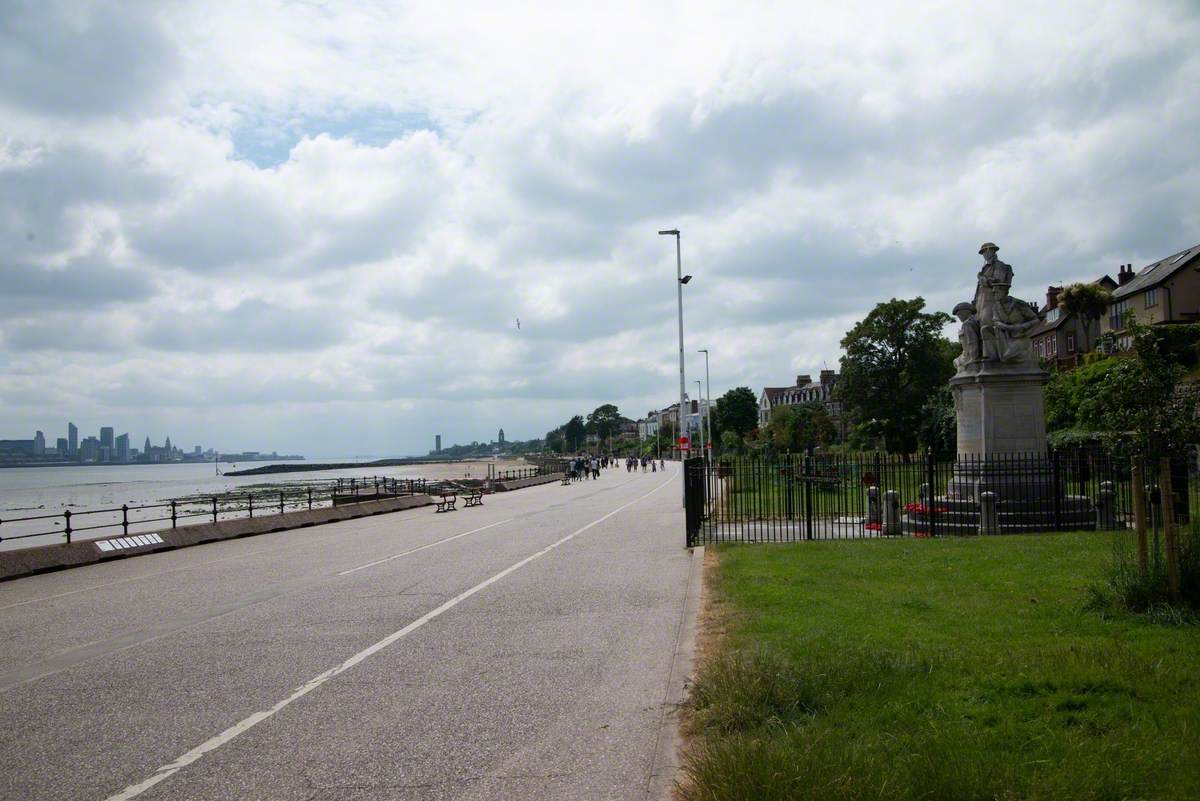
(32, 492)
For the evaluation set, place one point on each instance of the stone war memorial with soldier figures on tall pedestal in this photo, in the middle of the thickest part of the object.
(1004, 477)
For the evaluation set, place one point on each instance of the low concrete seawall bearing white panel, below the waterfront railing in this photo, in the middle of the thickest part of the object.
(40, 559)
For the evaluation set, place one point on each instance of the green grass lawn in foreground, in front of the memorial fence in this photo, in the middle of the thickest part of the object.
(957, 670)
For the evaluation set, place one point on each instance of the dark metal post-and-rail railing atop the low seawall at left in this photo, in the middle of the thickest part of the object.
(141, 519)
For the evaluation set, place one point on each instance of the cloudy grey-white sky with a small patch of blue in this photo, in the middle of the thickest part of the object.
(311, 226)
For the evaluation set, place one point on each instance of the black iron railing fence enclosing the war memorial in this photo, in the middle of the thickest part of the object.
(845, 496)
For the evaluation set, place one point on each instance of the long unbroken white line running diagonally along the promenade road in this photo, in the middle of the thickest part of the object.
(244, 726)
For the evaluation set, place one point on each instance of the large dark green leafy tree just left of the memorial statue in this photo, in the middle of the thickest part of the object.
(896, 359)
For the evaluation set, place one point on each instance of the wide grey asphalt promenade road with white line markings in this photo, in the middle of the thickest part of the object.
(529, 649)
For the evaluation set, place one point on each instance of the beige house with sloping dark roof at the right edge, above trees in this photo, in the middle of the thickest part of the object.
(1160, 294)
